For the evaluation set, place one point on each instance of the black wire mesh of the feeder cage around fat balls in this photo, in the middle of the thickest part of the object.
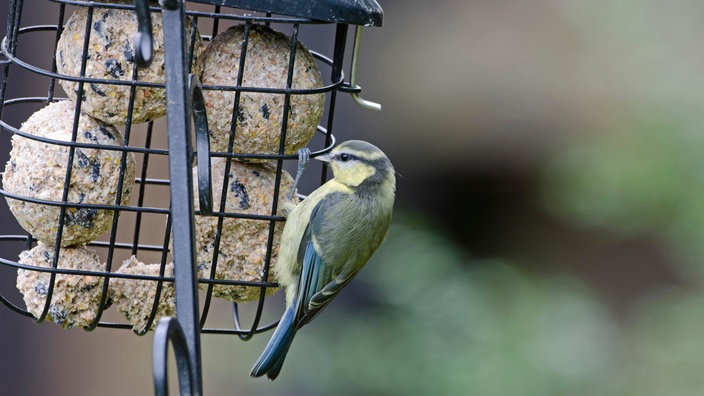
(143, 226)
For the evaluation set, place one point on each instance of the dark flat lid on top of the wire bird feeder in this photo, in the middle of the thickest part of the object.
(353, 12)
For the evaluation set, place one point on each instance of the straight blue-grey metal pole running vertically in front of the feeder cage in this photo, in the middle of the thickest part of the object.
(180, 159)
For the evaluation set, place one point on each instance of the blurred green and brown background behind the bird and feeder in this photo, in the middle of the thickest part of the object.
(549, 230)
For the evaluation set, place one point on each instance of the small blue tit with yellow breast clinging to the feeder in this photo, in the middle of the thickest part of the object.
(328, 238)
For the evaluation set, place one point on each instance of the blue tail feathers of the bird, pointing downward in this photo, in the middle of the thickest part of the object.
(272, 358)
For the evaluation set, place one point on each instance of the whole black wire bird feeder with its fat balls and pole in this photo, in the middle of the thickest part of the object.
(92, 183)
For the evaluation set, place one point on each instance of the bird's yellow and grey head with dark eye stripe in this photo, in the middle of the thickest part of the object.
(358, 163)
